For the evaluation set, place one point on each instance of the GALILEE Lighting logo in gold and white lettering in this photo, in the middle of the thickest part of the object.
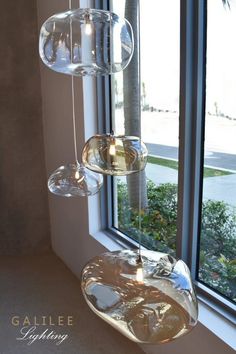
(32, 329)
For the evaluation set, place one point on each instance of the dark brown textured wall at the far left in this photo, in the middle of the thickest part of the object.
(24, 218)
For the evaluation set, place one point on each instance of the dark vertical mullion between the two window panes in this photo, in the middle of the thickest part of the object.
(192, 111)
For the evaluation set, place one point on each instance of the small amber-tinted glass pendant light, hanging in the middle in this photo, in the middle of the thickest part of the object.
(114, 155)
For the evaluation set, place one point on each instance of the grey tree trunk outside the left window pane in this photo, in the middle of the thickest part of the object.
(132, 107)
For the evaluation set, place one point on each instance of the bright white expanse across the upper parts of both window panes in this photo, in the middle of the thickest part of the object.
(160, 22)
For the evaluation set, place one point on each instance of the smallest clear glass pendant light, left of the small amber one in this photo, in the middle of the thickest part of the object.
(74, 180)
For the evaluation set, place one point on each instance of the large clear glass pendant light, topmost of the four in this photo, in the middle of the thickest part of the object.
(102, 42)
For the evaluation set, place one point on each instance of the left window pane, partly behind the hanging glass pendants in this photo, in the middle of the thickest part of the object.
(159, 52)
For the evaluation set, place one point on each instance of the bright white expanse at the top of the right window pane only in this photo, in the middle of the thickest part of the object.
(221, 57)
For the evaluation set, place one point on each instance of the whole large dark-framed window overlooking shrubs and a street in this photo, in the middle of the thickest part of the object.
(180, 214)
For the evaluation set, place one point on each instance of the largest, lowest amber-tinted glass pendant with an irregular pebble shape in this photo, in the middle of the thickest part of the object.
(149, 299)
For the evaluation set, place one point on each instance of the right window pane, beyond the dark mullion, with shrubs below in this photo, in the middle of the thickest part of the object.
(217, 267)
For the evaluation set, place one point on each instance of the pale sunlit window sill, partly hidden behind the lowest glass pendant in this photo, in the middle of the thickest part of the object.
(208, 317)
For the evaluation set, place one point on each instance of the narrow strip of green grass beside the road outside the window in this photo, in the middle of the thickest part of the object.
(208, 172)
